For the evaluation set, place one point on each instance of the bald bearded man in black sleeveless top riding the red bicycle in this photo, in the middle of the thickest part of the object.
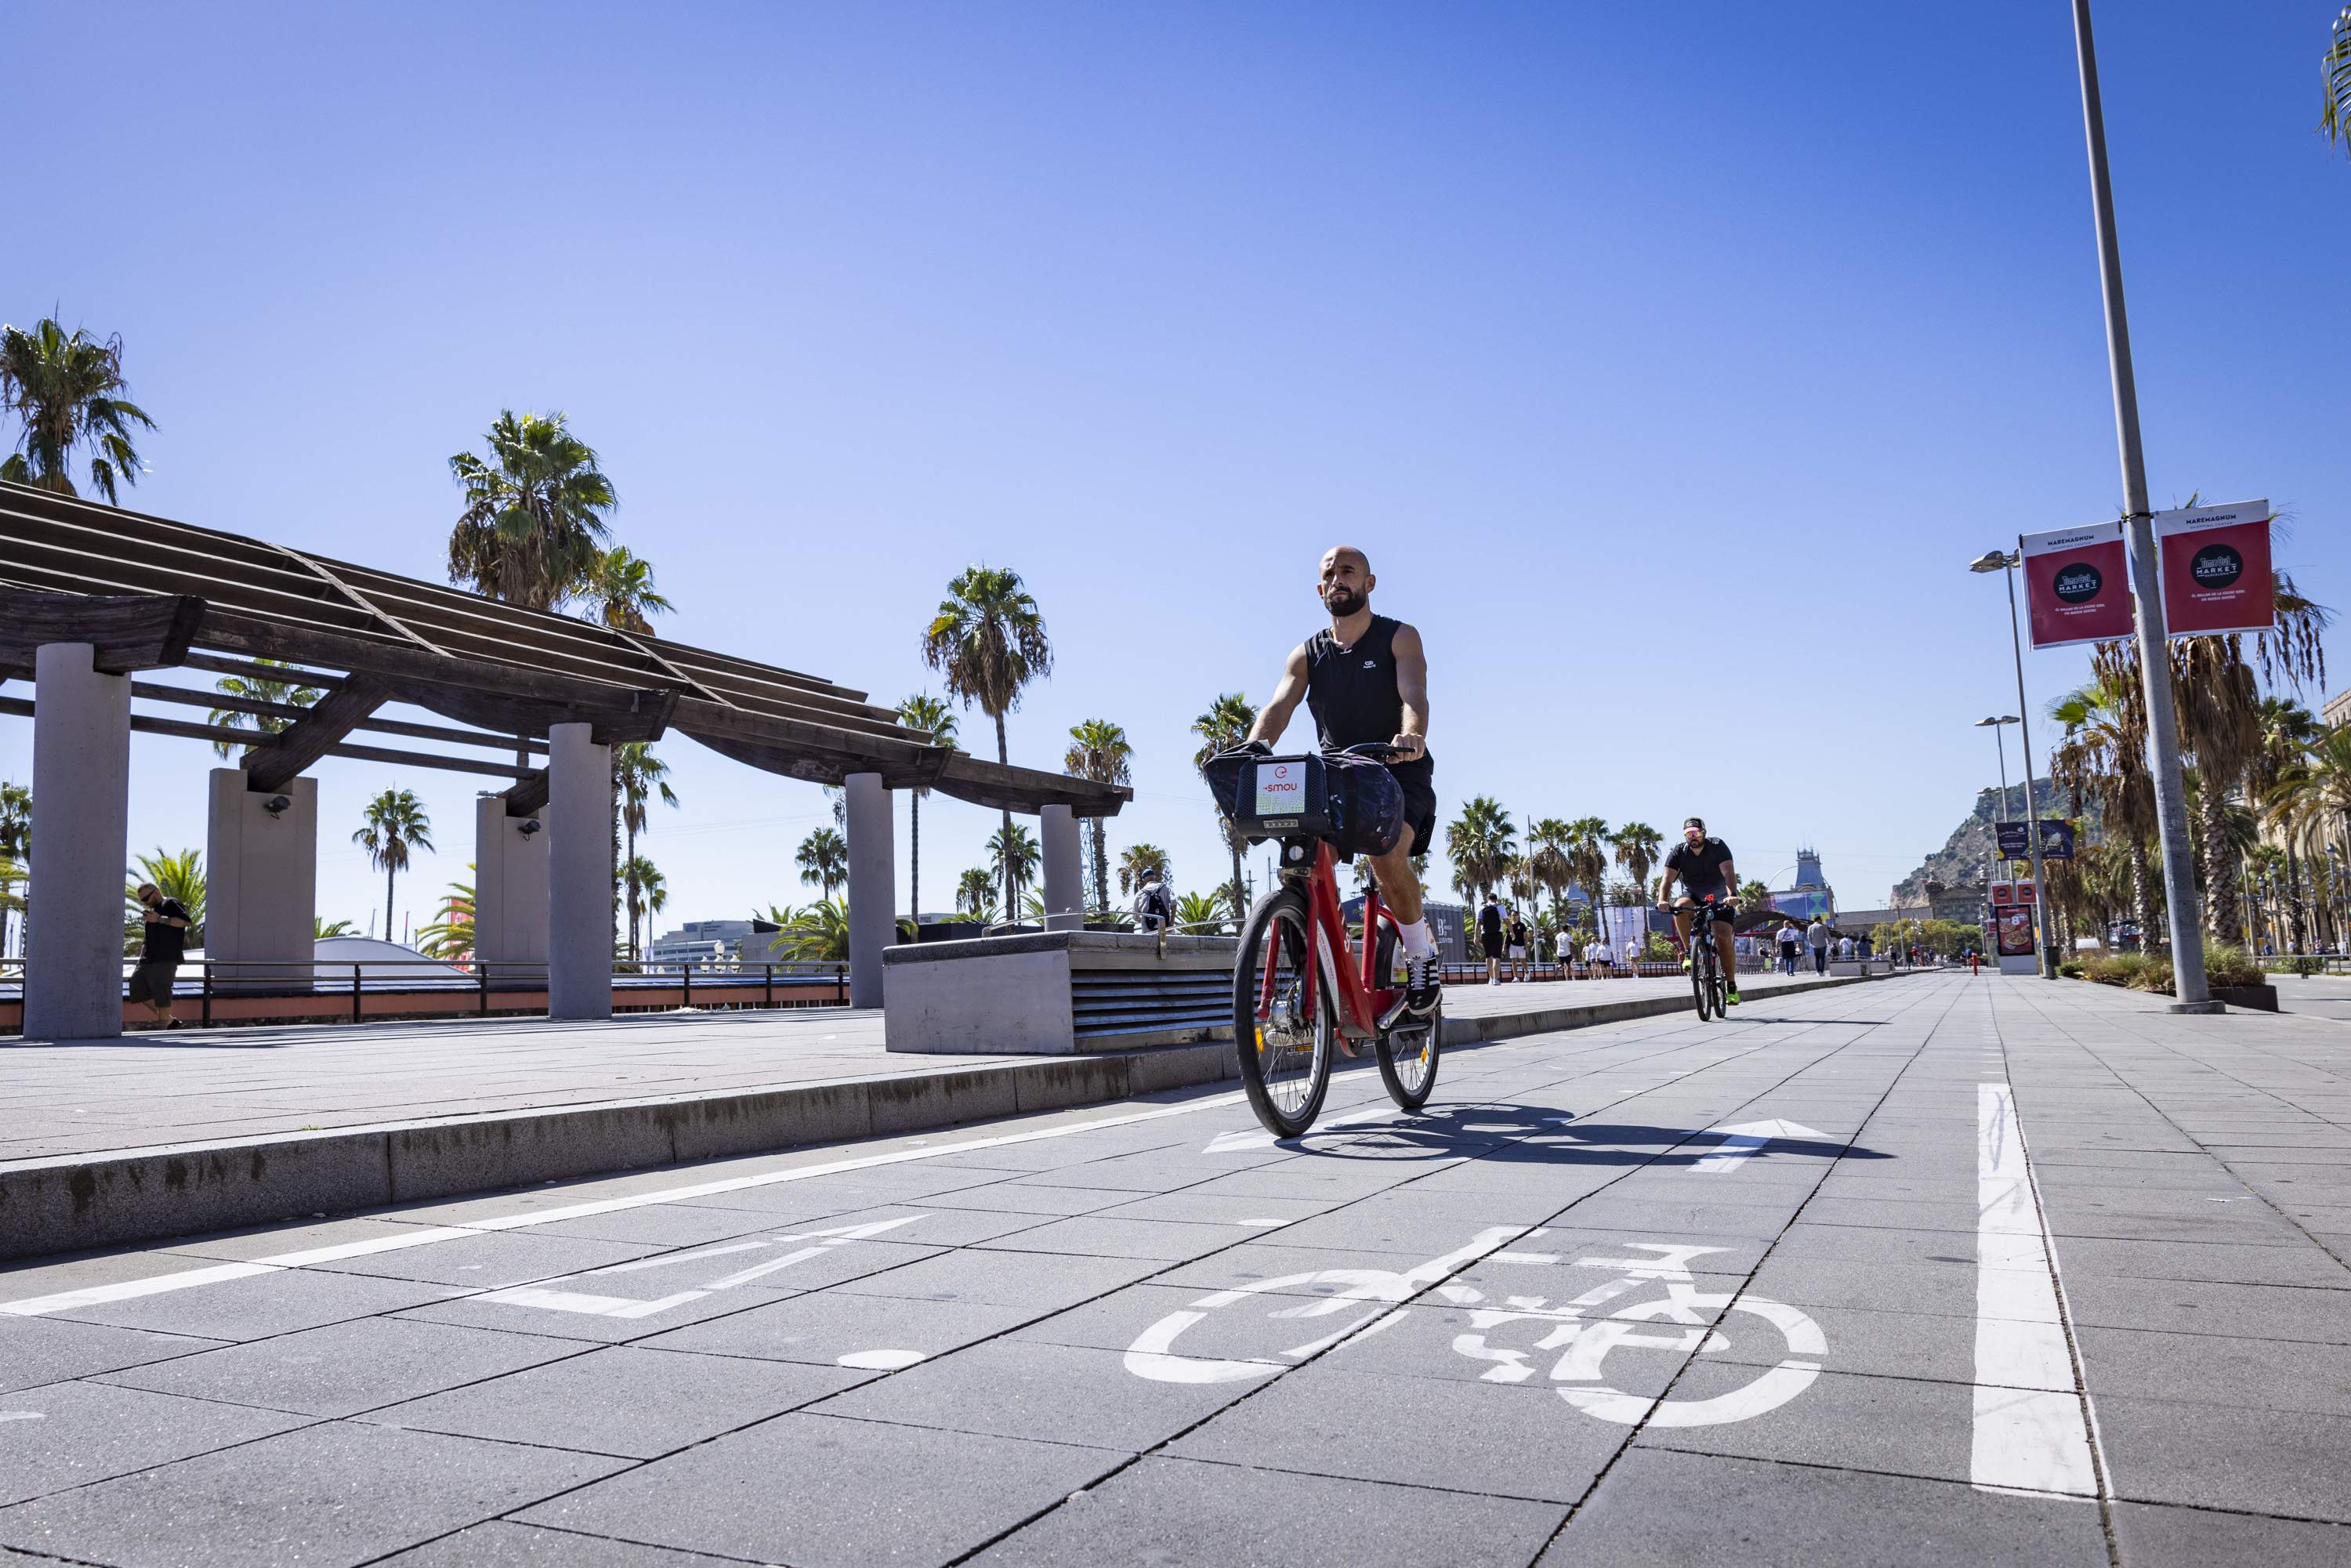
(1367, 681)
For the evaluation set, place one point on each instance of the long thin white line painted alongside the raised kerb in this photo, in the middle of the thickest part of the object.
(185, 1280)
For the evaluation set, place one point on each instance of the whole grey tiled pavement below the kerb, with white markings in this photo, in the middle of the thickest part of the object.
(1555, 1320)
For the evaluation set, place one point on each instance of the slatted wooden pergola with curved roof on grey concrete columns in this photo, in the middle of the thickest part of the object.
(147, 594)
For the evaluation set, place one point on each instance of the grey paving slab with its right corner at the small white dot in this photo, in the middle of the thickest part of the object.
(624, 1400)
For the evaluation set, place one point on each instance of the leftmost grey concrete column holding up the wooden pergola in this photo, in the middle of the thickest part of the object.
(81, 831)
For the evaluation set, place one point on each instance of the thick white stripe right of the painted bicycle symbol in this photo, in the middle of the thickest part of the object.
(2032, 1433)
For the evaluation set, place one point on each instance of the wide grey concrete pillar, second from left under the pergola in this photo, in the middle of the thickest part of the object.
(260, 880)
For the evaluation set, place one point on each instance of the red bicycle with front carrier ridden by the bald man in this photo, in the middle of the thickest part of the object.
(1306, 991)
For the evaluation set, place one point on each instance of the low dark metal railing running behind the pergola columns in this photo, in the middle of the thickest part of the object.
(236, 986)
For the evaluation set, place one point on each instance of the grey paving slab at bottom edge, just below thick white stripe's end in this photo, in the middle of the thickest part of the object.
(1760, 1513)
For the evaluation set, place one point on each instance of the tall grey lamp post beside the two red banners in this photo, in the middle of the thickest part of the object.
(2145, 577)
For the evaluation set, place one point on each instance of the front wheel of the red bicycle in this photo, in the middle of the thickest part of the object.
(1282, 1014)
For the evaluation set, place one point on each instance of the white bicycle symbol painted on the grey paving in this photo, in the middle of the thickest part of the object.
(1684, 1320)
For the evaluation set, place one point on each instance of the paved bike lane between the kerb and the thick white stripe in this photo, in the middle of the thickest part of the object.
(1661, 1257)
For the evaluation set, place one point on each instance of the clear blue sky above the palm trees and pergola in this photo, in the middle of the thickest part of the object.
(1668, 361)
